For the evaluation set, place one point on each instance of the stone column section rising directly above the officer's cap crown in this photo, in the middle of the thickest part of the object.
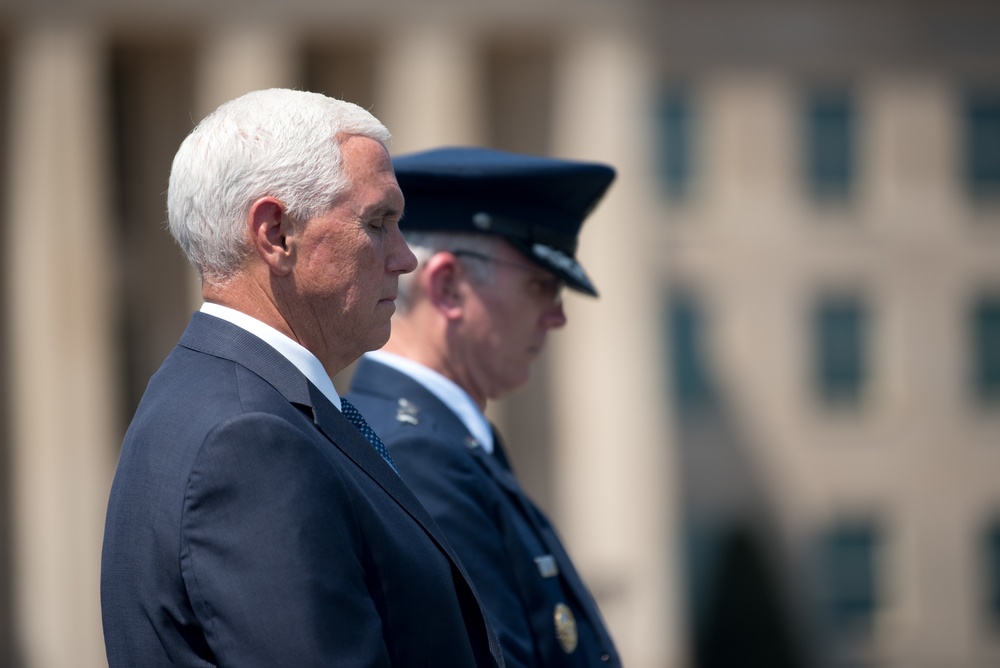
(428, 88)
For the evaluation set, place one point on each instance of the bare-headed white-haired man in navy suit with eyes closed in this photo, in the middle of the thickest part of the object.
(255, 519)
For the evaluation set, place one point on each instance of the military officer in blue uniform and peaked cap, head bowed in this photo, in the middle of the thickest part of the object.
(495, 235)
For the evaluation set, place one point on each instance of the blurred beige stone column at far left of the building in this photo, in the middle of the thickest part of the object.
(64, 425)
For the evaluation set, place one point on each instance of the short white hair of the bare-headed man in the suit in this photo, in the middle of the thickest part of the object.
(279, 143)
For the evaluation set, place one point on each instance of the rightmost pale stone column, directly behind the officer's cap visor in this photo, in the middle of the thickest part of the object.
(615, 498)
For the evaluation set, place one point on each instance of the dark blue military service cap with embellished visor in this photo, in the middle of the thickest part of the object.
(537, 204)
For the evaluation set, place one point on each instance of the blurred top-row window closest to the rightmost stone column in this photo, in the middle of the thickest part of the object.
(673, 118)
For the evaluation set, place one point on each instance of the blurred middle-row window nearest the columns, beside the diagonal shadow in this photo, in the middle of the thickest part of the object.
(689, 371)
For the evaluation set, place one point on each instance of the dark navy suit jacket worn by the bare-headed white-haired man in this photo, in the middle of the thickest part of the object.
(250, 524)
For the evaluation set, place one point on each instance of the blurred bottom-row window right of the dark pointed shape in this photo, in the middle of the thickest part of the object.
(849, 576)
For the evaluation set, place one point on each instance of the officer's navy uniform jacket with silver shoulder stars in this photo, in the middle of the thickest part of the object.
(497, 531)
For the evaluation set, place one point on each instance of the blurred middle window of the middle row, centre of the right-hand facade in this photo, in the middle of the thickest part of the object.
(840, 362)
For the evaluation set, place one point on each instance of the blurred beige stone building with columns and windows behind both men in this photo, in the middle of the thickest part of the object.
(774, 440)
